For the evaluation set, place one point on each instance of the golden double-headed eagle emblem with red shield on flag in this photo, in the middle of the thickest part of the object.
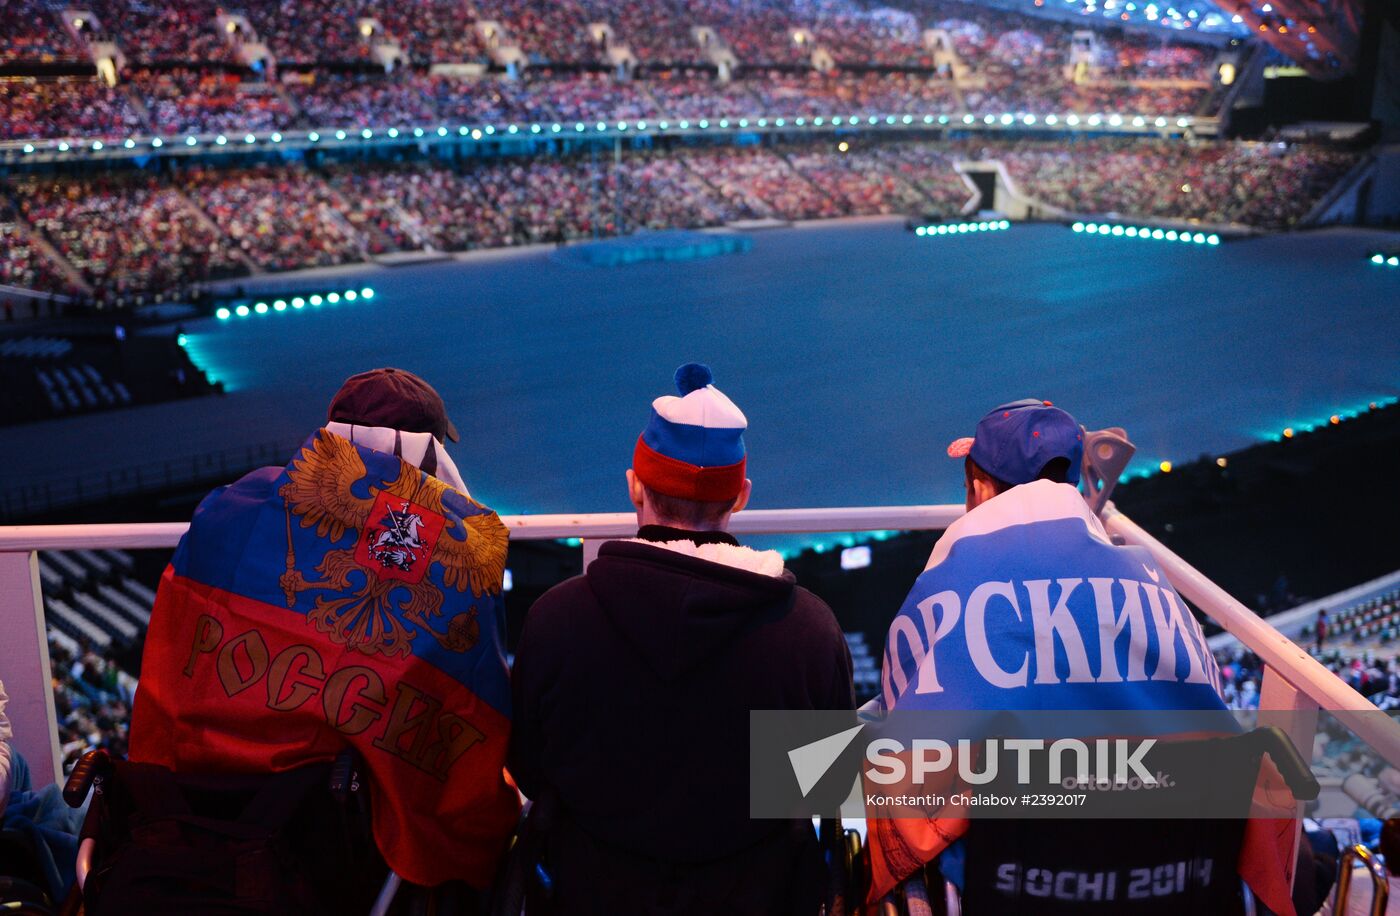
(381, 588)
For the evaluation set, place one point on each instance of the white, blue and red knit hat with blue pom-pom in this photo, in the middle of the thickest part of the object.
(694, 446)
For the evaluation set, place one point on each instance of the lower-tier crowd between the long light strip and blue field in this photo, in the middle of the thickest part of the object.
(135, 233)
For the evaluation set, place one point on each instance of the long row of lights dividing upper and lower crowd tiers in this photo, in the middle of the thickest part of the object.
(624, 127)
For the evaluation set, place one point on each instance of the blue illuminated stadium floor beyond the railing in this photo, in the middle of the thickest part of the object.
(859, 351)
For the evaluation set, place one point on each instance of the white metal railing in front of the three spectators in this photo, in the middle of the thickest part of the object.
(1294, 684)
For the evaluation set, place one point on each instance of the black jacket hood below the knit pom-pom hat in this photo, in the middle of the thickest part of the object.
(677, 610)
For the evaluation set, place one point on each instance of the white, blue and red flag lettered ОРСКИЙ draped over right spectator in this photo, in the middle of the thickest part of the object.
(1028, 606)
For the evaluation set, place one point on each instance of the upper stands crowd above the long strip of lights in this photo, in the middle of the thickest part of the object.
(185, 74)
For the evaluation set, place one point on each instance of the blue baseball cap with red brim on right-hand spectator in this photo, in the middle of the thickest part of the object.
(1017, 440)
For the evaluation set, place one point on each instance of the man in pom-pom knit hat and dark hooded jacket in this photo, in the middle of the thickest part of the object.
(633, 686)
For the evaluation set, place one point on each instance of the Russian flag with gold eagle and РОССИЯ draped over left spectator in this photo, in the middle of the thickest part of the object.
(346, 600)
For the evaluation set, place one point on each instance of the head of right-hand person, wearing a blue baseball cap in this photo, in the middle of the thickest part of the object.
(1020, 443)
